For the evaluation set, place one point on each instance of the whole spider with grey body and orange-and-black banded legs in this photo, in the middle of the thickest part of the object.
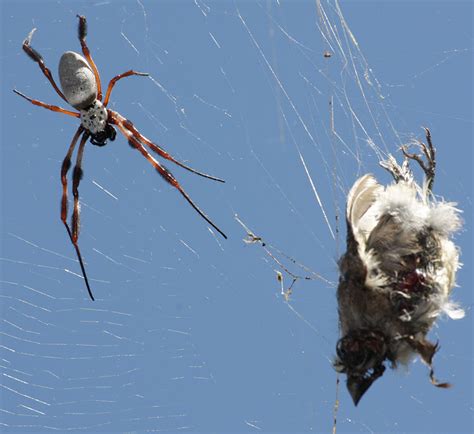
(81, 88)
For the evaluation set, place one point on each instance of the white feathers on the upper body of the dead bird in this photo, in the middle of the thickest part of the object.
(405, 201)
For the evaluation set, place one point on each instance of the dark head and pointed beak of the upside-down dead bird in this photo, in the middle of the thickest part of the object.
(360, 355)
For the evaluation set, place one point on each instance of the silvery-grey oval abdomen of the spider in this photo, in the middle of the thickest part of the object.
(77, 80)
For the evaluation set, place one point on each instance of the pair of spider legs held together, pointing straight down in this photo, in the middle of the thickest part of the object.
(77, 174)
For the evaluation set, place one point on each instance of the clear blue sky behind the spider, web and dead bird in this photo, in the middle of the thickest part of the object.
(189, 331)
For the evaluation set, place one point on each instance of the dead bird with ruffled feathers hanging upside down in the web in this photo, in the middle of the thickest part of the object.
(397, 273)
